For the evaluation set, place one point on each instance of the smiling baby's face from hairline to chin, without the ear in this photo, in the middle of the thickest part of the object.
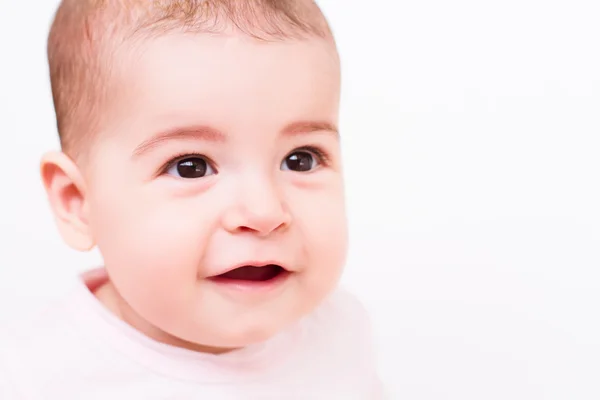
(221, 152)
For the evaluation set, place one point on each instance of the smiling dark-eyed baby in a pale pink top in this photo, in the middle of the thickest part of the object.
(201, 155)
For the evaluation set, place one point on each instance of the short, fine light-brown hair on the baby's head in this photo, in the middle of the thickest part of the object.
(87, 34)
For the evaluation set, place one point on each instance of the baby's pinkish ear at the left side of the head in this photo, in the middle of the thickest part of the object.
(66, 192)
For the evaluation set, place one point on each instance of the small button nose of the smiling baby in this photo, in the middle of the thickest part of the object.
(258, 208)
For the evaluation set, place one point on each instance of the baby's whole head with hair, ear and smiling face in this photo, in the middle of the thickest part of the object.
(199, 137)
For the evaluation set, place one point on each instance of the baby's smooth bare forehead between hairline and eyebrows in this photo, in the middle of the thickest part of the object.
(232, 82)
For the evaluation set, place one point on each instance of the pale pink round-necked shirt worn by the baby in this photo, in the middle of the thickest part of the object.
(77, 349)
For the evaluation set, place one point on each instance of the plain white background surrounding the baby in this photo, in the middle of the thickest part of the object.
(471, 136)
